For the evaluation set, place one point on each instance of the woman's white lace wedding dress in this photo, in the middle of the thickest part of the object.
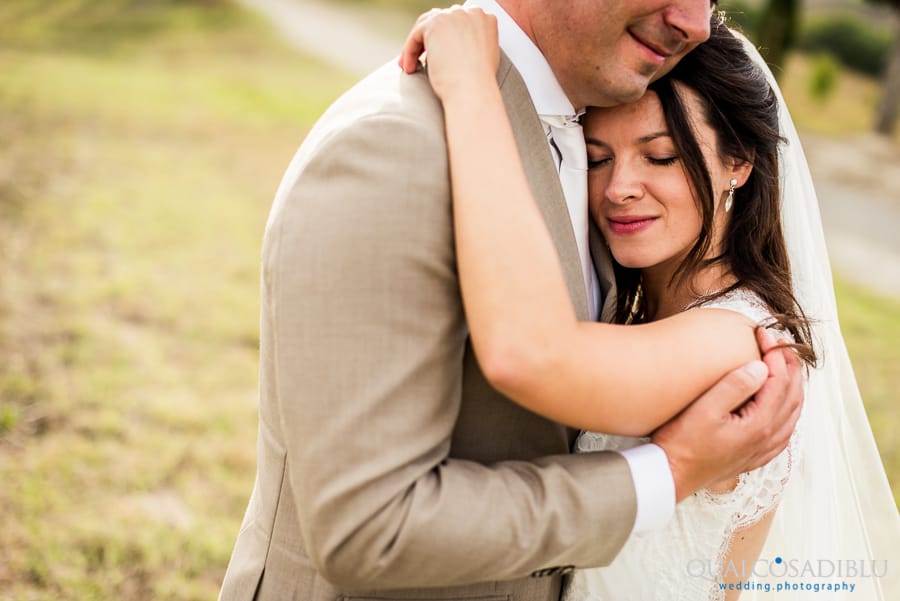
(680, 561)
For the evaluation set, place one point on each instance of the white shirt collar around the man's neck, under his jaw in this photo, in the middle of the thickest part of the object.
(546, 93)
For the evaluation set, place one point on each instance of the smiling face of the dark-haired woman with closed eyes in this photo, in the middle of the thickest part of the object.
(640, 194)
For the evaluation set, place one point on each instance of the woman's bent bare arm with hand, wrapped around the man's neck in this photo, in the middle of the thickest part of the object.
(619, 379)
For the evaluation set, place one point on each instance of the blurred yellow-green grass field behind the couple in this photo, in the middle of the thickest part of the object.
(143, 141)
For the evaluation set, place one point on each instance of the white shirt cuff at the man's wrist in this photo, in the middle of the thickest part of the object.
(654, 486)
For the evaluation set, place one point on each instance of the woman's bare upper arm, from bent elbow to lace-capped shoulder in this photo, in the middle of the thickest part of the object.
(630, 380)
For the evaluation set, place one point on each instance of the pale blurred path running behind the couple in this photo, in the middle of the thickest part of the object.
(858, 180)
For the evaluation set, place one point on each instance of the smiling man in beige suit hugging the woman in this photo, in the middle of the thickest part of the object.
(388, 468)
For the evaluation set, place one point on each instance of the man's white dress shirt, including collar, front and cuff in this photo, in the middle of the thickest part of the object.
(653, 481)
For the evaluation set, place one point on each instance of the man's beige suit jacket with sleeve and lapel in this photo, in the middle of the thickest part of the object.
(388, 467)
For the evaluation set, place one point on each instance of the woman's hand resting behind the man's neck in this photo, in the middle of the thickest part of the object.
(462, 47)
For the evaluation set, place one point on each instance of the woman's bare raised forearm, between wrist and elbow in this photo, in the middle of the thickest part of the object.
(517, 304)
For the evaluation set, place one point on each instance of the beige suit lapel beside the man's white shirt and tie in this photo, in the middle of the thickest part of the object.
(543, 178)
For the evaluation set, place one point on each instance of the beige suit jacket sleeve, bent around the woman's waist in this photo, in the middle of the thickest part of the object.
(369, 335)
